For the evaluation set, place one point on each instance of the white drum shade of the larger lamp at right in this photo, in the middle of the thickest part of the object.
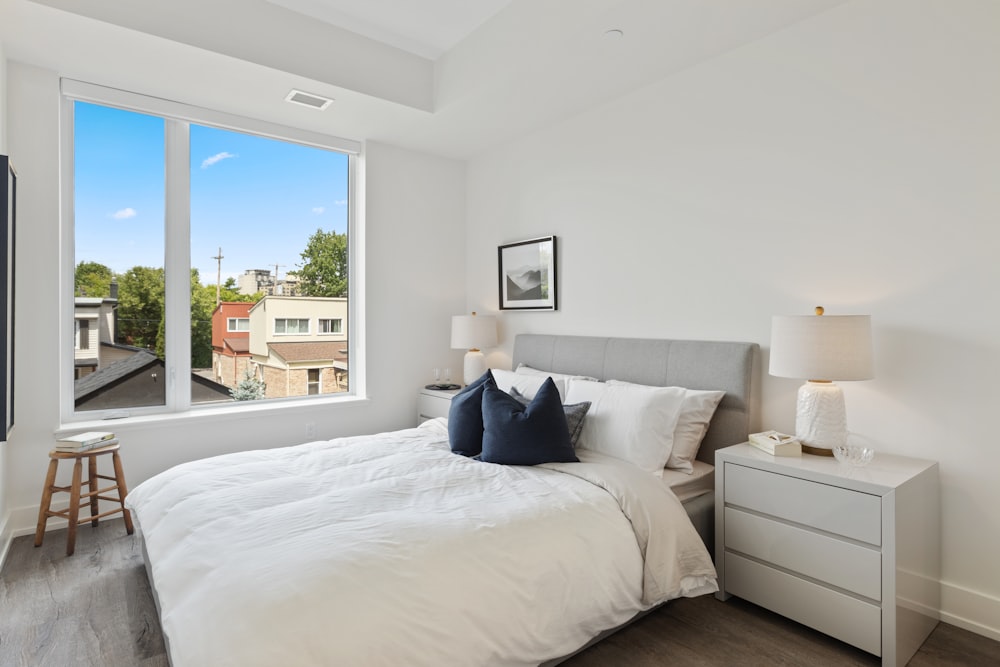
(822, 347)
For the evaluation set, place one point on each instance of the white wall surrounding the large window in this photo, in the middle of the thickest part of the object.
(415, 215)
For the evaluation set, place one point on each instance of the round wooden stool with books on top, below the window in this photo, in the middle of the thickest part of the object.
(72, 513)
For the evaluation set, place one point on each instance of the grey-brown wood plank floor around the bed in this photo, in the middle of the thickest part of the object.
(95, 608)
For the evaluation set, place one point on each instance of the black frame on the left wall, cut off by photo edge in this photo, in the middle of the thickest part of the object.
(8, 207)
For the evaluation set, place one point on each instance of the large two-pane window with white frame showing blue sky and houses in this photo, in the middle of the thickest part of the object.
(169, 207)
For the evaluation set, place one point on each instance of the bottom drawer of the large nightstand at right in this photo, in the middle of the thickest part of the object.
(839, 615)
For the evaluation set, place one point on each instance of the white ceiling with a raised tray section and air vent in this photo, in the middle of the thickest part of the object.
(446, 77)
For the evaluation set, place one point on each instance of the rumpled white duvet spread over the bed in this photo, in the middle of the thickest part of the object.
(391, 550)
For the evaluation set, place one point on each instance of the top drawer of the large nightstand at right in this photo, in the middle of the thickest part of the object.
(833, 509)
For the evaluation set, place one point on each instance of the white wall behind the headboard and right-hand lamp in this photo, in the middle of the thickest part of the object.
(849, 162)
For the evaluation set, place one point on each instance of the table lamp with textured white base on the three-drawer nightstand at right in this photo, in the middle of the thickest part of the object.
(821, 349)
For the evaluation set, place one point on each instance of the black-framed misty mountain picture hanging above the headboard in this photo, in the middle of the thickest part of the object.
(528, 274)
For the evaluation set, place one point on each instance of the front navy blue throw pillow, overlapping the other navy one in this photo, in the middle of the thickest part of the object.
(526, 435)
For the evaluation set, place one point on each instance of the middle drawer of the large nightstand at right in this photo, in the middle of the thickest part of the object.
(843, 564)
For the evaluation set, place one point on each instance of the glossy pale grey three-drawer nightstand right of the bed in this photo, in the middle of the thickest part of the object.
(851, 552)
